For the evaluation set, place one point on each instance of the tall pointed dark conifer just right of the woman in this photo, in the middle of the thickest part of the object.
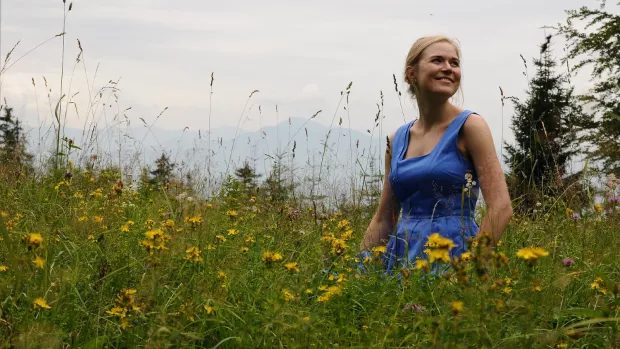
(545, 127)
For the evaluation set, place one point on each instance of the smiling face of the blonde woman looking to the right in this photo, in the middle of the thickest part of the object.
(438, 71)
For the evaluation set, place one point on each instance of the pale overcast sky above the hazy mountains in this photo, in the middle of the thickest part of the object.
(299, 55)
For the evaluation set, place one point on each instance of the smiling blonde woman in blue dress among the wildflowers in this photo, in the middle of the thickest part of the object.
(436, 165)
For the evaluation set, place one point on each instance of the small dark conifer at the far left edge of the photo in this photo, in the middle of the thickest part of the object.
(12, 141)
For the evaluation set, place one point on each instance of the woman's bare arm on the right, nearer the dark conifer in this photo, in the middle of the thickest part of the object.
(479, 145)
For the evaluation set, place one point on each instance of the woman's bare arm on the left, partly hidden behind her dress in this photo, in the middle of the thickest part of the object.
(385, 218)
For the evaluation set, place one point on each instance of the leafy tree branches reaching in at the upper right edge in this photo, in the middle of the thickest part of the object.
(597, 45)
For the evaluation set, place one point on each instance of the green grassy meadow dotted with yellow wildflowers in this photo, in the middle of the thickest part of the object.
(87, 262)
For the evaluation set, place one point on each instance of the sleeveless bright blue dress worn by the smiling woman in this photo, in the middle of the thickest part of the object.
(430, 189)
